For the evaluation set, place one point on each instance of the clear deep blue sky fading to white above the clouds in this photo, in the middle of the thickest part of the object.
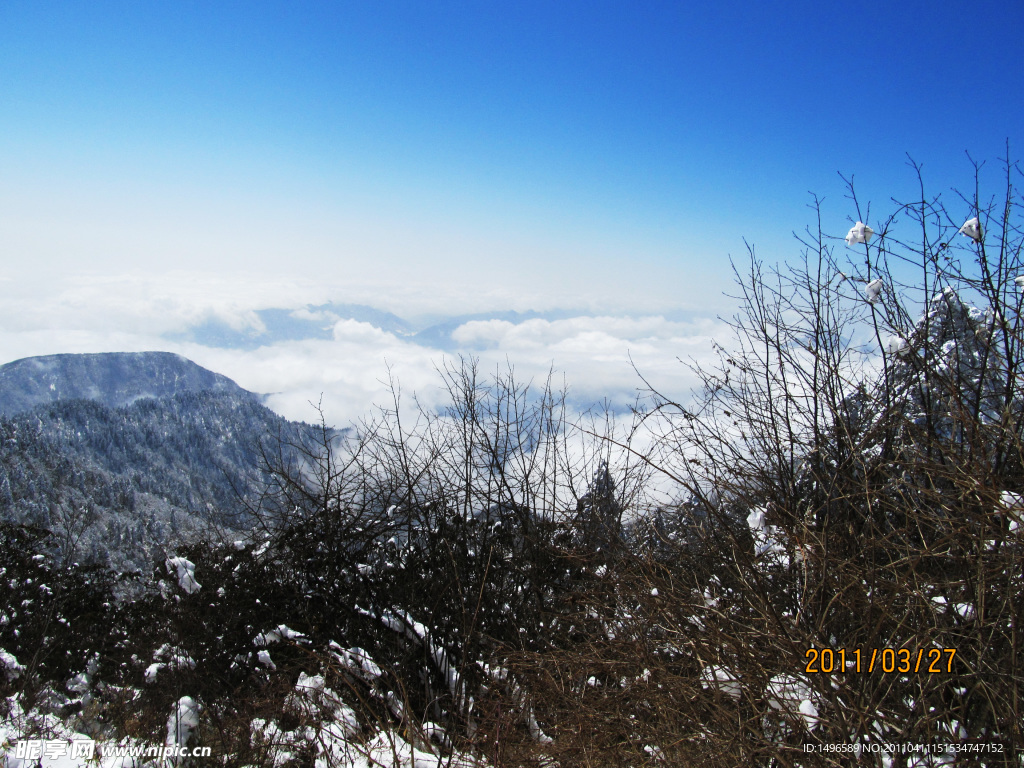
(451, 157)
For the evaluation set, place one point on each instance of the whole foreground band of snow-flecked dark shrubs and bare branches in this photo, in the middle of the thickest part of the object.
(823, 545)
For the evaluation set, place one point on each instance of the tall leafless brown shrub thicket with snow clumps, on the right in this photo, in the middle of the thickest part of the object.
(844, 565)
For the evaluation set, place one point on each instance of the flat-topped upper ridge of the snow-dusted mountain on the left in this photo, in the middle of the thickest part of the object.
(113, 379)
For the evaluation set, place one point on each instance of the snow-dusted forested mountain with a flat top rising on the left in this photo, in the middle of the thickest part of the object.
(124, 456)
